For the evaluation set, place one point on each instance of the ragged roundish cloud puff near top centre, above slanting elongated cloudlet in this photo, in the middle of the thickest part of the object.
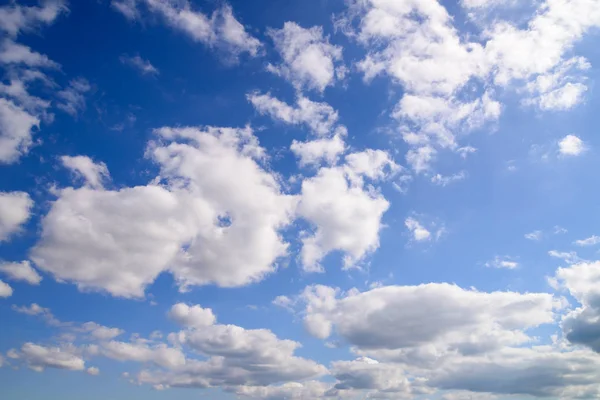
(309, 60)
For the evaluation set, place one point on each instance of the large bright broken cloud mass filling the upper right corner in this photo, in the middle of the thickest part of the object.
(449, 83)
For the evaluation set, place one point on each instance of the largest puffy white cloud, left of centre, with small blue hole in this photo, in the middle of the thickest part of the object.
(216, 219)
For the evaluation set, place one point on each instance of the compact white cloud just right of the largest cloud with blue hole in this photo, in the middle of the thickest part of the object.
(346, 217)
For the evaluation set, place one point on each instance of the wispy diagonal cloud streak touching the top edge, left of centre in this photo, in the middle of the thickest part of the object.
(221, 30)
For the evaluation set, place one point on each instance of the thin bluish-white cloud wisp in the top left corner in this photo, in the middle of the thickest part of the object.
(15, 18)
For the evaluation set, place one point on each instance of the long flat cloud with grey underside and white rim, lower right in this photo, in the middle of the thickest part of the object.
(424, 324)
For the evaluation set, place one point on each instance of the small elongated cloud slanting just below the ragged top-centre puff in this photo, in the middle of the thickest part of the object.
(320, 118)
